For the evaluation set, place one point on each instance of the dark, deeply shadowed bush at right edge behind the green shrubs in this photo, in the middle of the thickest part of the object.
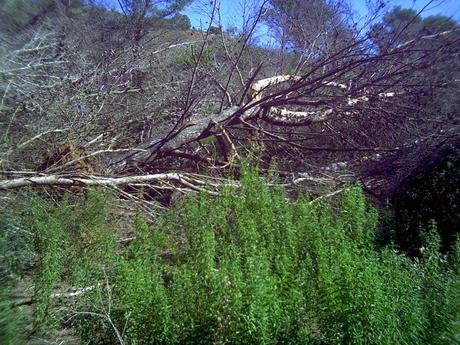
(432, 194)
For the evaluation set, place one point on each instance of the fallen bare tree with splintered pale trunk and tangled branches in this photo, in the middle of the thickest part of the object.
(356, 102)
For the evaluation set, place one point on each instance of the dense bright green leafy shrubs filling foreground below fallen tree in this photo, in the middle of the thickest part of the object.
(246, 267)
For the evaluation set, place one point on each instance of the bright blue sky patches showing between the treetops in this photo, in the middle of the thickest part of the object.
(232, 10)
